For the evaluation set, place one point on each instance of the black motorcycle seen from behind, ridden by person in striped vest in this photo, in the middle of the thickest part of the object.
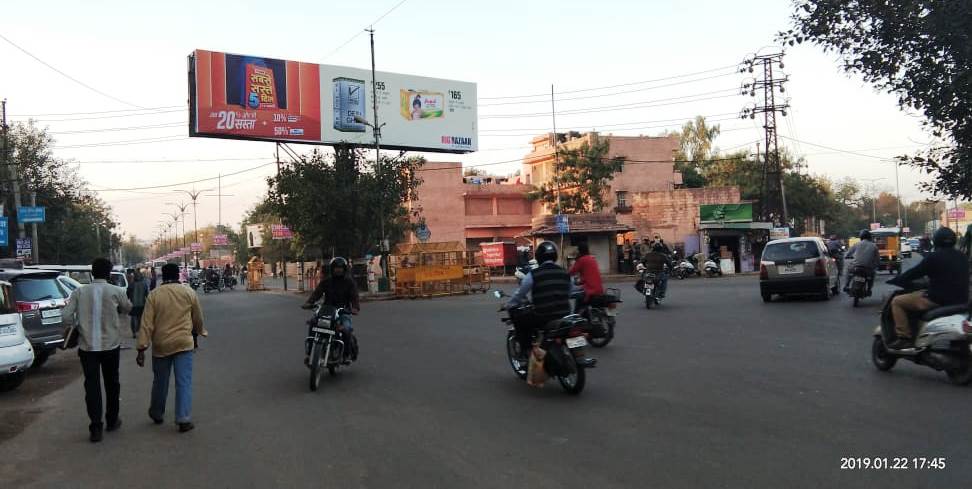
(559, 340)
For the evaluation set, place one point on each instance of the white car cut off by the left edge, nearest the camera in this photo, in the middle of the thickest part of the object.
(16, 354)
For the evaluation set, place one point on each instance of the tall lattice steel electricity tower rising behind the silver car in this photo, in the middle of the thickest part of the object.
(772, 191)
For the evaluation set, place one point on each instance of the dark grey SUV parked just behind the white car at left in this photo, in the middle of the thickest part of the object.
(39, 298)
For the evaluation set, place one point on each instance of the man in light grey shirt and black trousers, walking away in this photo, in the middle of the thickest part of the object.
(95, 308)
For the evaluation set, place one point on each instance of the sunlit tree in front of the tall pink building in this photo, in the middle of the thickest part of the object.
(580, 178)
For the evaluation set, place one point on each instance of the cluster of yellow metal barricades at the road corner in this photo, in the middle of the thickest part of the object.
(435, 269)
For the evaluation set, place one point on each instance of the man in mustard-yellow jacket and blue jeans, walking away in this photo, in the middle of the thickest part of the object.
(171, 320)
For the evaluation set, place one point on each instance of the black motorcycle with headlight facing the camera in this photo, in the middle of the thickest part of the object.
(325, 347)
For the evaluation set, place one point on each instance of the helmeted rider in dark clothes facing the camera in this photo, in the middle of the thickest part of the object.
(338, 290)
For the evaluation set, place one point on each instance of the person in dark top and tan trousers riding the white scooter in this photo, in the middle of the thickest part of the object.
(947, 270)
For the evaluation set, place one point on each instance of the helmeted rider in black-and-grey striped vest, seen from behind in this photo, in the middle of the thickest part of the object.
(549, 289)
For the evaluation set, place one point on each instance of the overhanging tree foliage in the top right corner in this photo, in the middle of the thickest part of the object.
(917, 50)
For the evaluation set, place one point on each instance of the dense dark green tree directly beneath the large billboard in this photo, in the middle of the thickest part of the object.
(339, 202)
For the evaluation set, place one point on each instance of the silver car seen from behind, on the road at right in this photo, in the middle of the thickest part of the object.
(797, 266)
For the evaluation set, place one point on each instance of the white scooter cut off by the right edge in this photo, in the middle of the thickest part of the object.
(943, 340)
